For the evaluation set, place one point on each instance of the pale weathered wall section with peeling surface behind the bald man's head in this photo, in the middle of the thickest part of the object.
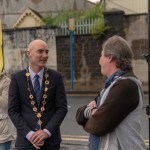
(15, 43)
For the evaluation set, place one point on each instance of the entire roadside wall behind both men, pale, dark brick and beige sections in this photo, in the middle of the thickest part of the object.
(87, 50)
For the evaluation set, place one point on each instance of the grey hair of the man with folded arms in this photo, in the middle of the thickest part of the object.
(121, 52)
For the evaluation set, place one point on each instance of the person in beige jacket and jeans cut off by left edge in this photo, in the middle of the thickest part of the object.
(7, 129)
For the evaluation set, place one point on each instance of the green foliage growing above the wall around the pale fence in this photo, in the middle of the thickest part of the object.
(96, 12)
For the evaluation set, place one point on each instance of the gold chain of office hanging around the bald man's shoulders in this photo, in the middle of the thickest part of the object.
(38, 112)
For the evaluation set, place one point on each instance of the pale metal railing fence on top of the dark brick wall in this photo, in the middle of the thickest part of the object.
(82, 27)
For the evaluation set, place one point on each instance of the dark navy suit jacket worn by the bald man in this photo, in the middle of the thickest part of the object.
(21, 112)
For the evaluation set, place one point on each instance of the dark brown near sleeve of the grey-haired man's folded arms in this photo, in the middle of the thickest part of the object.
(122, 99)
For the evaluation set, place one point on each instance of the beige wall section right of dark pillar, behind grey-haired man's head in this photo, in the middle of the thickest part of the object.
(136, 33)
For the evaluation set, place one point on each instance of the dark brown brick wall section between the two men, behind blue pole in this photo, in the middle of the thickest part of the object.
(86, 56)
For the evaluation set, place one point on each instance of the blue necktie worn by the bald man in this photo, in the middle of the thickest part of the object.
(37, 88)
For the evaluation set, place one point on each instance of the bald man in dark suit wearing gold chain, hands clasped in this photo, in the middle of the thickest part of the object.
(37, 102)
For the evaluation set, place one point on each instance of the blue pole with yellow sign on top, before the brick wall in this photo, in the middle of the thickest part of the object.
(71, 31)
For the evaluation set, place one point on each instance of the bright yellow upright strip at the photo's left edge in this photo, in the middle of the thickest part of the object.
(1, 50)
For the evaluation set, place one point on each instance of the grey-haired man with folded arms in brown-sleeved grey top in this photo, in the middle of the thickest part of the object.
(113, 117)
